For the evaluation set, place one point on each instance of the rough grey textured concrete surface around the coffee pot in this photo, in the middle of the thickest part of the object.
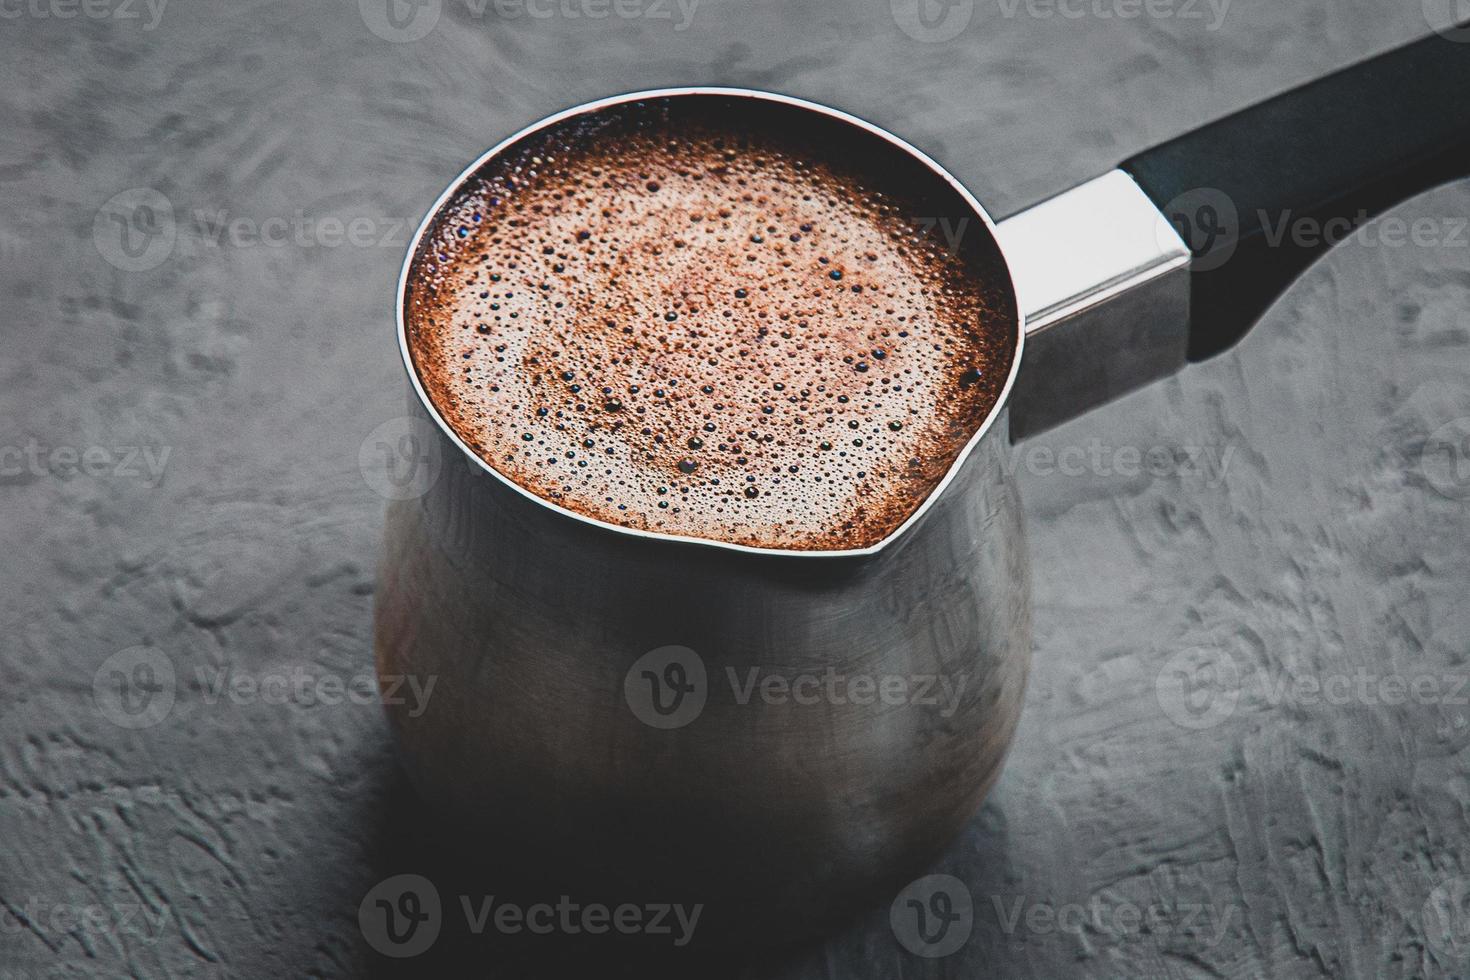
(1259, 829)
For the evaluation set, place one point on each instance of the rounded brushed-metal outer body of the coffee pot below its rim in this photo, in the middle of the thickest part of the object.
(655, 721)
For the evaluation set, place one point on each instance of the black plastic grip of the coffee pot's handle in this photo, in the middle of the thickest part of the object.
(1261, 195)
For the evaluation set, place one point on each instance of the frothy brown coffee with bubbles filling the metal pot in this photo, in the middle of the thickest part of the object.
(684, 324)
